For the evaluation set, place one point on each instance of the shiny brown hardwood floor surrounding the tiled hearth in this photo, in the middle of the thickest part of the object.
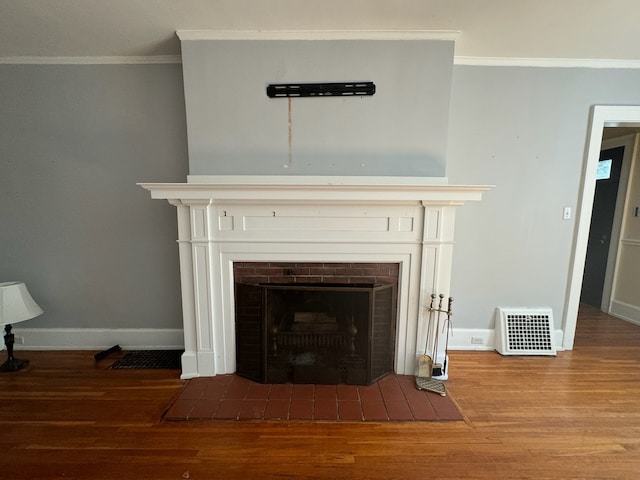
(573, 416)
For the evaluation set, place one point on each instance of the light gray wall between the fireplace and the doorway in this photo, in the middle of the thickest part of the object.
(524, 130)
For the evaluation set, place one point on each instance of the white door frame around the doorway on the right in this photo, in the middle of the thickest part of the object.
(601, 116)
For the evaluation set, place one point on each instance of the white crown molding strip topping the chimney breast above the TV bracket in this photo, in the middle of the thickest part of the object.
(443, 35)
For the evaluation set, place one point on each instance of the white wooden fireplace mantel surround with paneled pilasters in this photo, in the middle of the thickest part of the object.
(222, 220)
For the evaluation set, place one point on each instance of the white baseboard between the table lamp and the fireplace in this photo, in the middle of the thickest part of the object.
(97, 338)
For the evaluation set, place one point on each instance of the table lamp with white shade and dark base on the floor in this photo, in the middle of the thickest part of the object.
(16, 305)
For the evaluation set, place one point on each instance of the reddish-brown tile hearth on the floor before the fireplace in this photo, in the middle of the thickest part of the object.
(230, 397)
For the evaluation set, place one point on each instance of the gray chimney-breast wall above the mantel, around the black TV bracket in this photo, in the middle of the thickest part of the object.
(234, 128)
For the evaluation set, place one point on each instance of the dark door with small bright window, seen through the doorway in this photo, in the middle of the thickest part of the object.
(604, 205)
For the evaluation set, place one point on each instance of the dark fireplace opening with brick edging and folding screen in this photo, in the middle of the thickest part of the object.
(315, 323)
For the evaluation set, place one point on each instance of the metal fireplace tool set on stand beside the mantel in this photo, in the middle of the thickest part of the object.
(428, 365)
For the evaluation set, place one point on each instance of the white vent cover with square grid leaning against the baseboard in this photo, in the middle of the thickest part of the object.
(525, 331)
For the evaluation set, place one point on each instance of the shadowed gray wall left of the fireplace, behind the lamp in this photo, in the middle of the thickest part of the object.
(93, 248)
